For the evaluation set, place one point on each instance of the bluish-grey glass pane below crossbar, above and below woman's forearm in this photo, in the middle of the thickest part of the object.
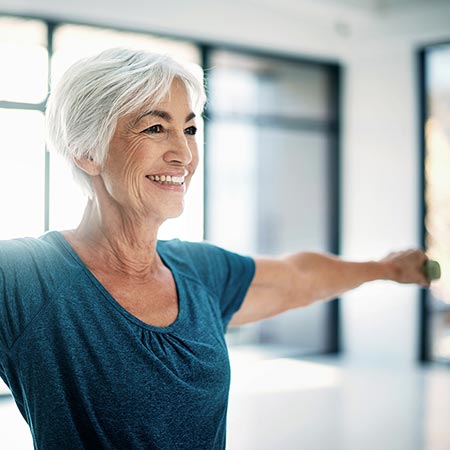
(294, 214)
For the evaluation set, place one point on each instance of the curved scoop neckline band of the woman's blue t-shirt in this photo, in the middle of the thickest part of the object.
(63, 241)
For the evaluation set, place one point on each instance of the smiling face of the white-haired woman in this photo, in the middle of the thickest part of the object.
(152, 157)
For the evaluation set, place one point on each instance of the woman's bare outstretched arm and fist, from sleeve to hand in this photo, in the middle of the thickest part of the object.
(303, 278)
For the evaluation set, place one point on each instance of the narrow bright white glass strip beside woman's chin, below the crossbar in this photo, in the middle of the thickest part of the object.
(232, 187)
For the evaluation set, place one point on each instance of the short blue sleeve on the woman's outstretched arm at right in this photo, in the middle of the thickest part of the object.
(225, 274)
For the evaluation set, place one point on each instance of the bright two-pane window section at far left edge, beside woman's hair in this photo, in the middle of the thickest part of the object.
(23, 89)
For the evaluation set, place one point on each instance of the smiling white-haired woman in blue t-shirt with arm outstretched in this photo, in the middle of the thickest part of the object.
(109, 338)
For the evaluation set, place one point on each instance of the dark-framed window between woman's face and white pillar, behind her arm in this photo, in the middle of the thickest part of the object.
(271, 178)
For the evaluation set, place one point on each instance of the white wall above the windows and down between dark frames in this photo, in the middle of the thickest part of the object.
(380, 148)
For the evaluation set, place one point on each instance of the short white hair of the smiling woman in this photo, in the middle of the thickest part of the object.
(83, 109)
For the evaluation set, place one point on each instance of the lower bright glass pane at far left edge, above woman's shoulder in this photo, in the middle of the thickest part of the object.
(22, 169)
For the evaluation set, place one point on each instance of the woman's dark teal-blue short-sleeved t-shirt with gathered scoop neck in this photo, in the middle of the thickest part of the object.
(87, 374)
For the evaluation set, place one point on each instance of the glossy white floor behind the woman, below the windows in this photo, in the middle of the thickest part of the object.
(279, 402)
